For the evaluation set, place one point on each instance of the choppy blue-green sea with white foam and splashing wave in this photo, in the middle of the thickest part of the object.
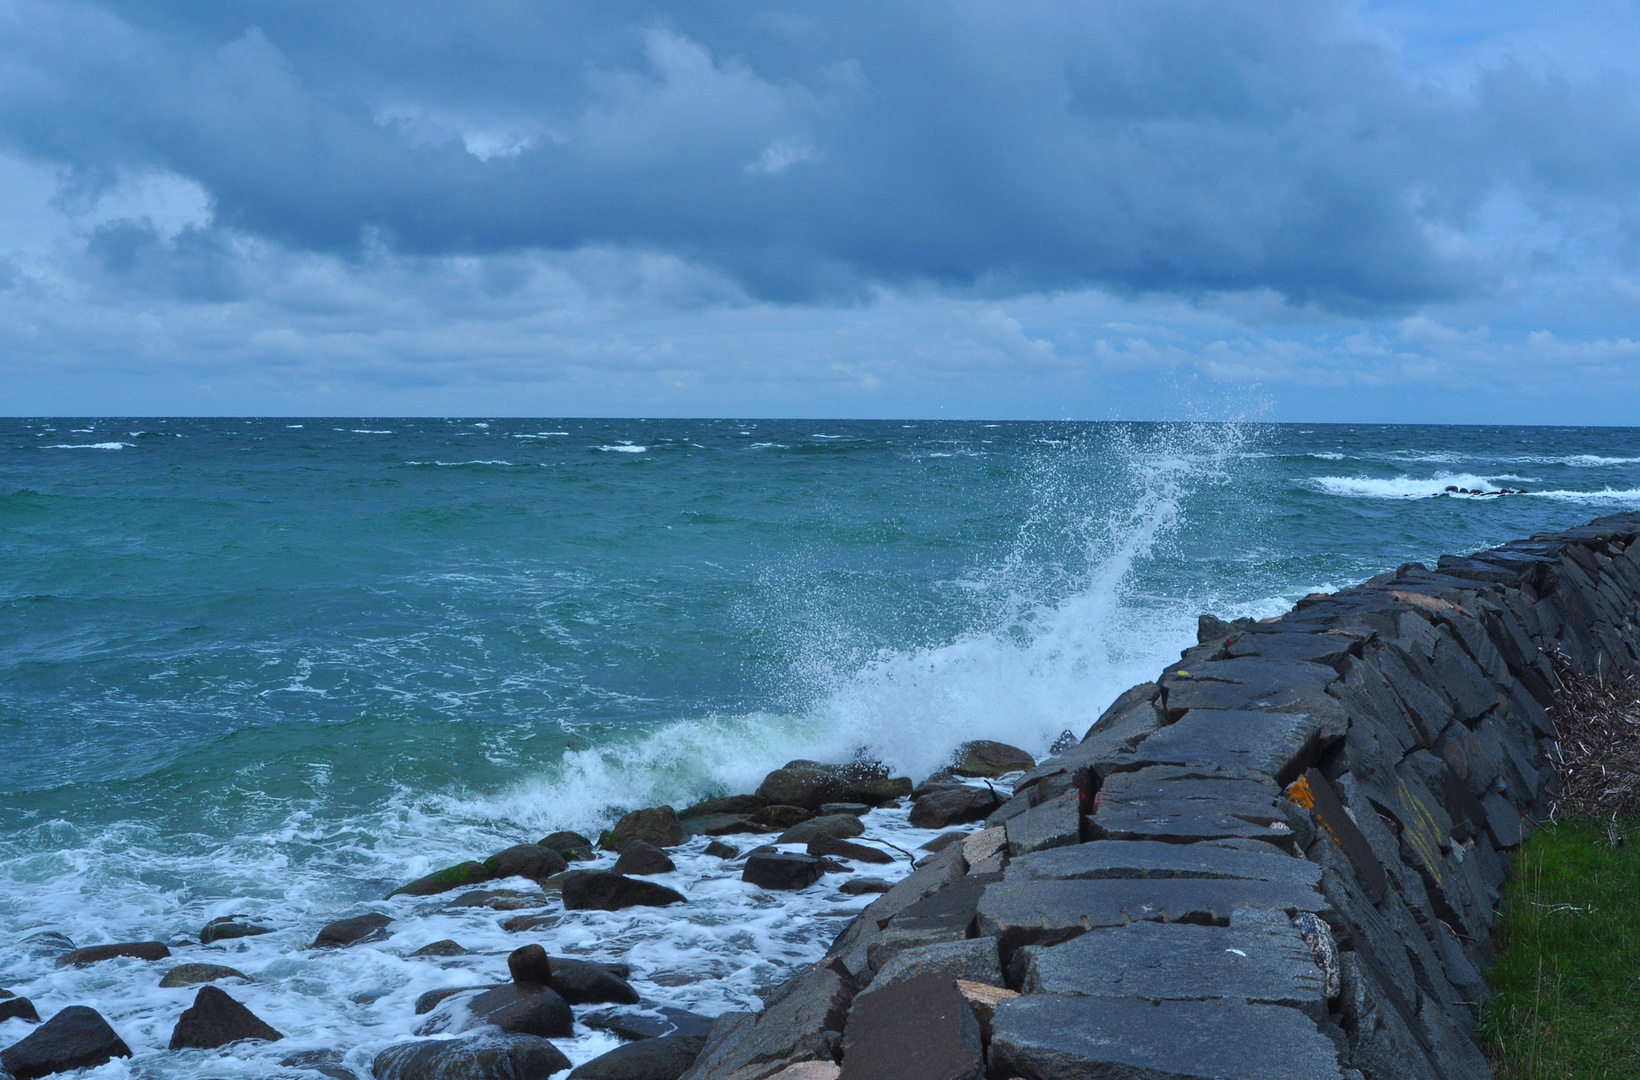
(276, 668)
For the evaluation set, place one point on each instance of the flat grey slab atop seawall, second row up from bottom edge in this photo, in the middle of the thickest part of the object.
(1260, 958)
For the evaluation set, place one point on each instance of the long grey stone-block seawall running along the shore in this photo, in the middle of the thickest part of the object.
(1283, 860)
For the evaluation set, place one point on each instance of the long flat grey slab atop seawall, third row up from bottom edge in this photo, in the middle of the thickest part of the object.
(1021, 914)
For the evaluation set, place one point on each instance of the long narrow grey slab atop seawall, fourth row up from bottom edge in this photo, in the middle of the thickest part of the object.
(1154, 860)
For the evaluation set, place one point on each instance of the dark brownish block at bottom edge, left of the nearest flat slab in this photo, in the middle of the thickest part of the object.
(916, 1030)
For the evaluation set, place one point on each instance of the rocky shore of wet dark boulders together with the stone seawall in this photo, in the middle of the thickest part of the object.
(1280, 860)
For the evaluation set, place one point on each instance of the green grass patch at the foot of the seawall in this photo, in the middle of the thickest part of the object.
(1569, 973)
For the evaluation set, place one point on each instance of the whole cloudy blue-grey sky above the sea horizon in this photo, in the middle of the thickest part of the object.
(1029, 209)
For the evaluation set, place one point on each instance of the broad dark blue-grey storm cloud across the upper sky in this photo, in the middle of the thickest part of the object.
(814, 152)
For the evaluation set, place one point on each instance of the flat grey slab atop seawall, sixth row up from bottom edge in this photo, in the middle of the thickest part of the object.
(1277, 745)
